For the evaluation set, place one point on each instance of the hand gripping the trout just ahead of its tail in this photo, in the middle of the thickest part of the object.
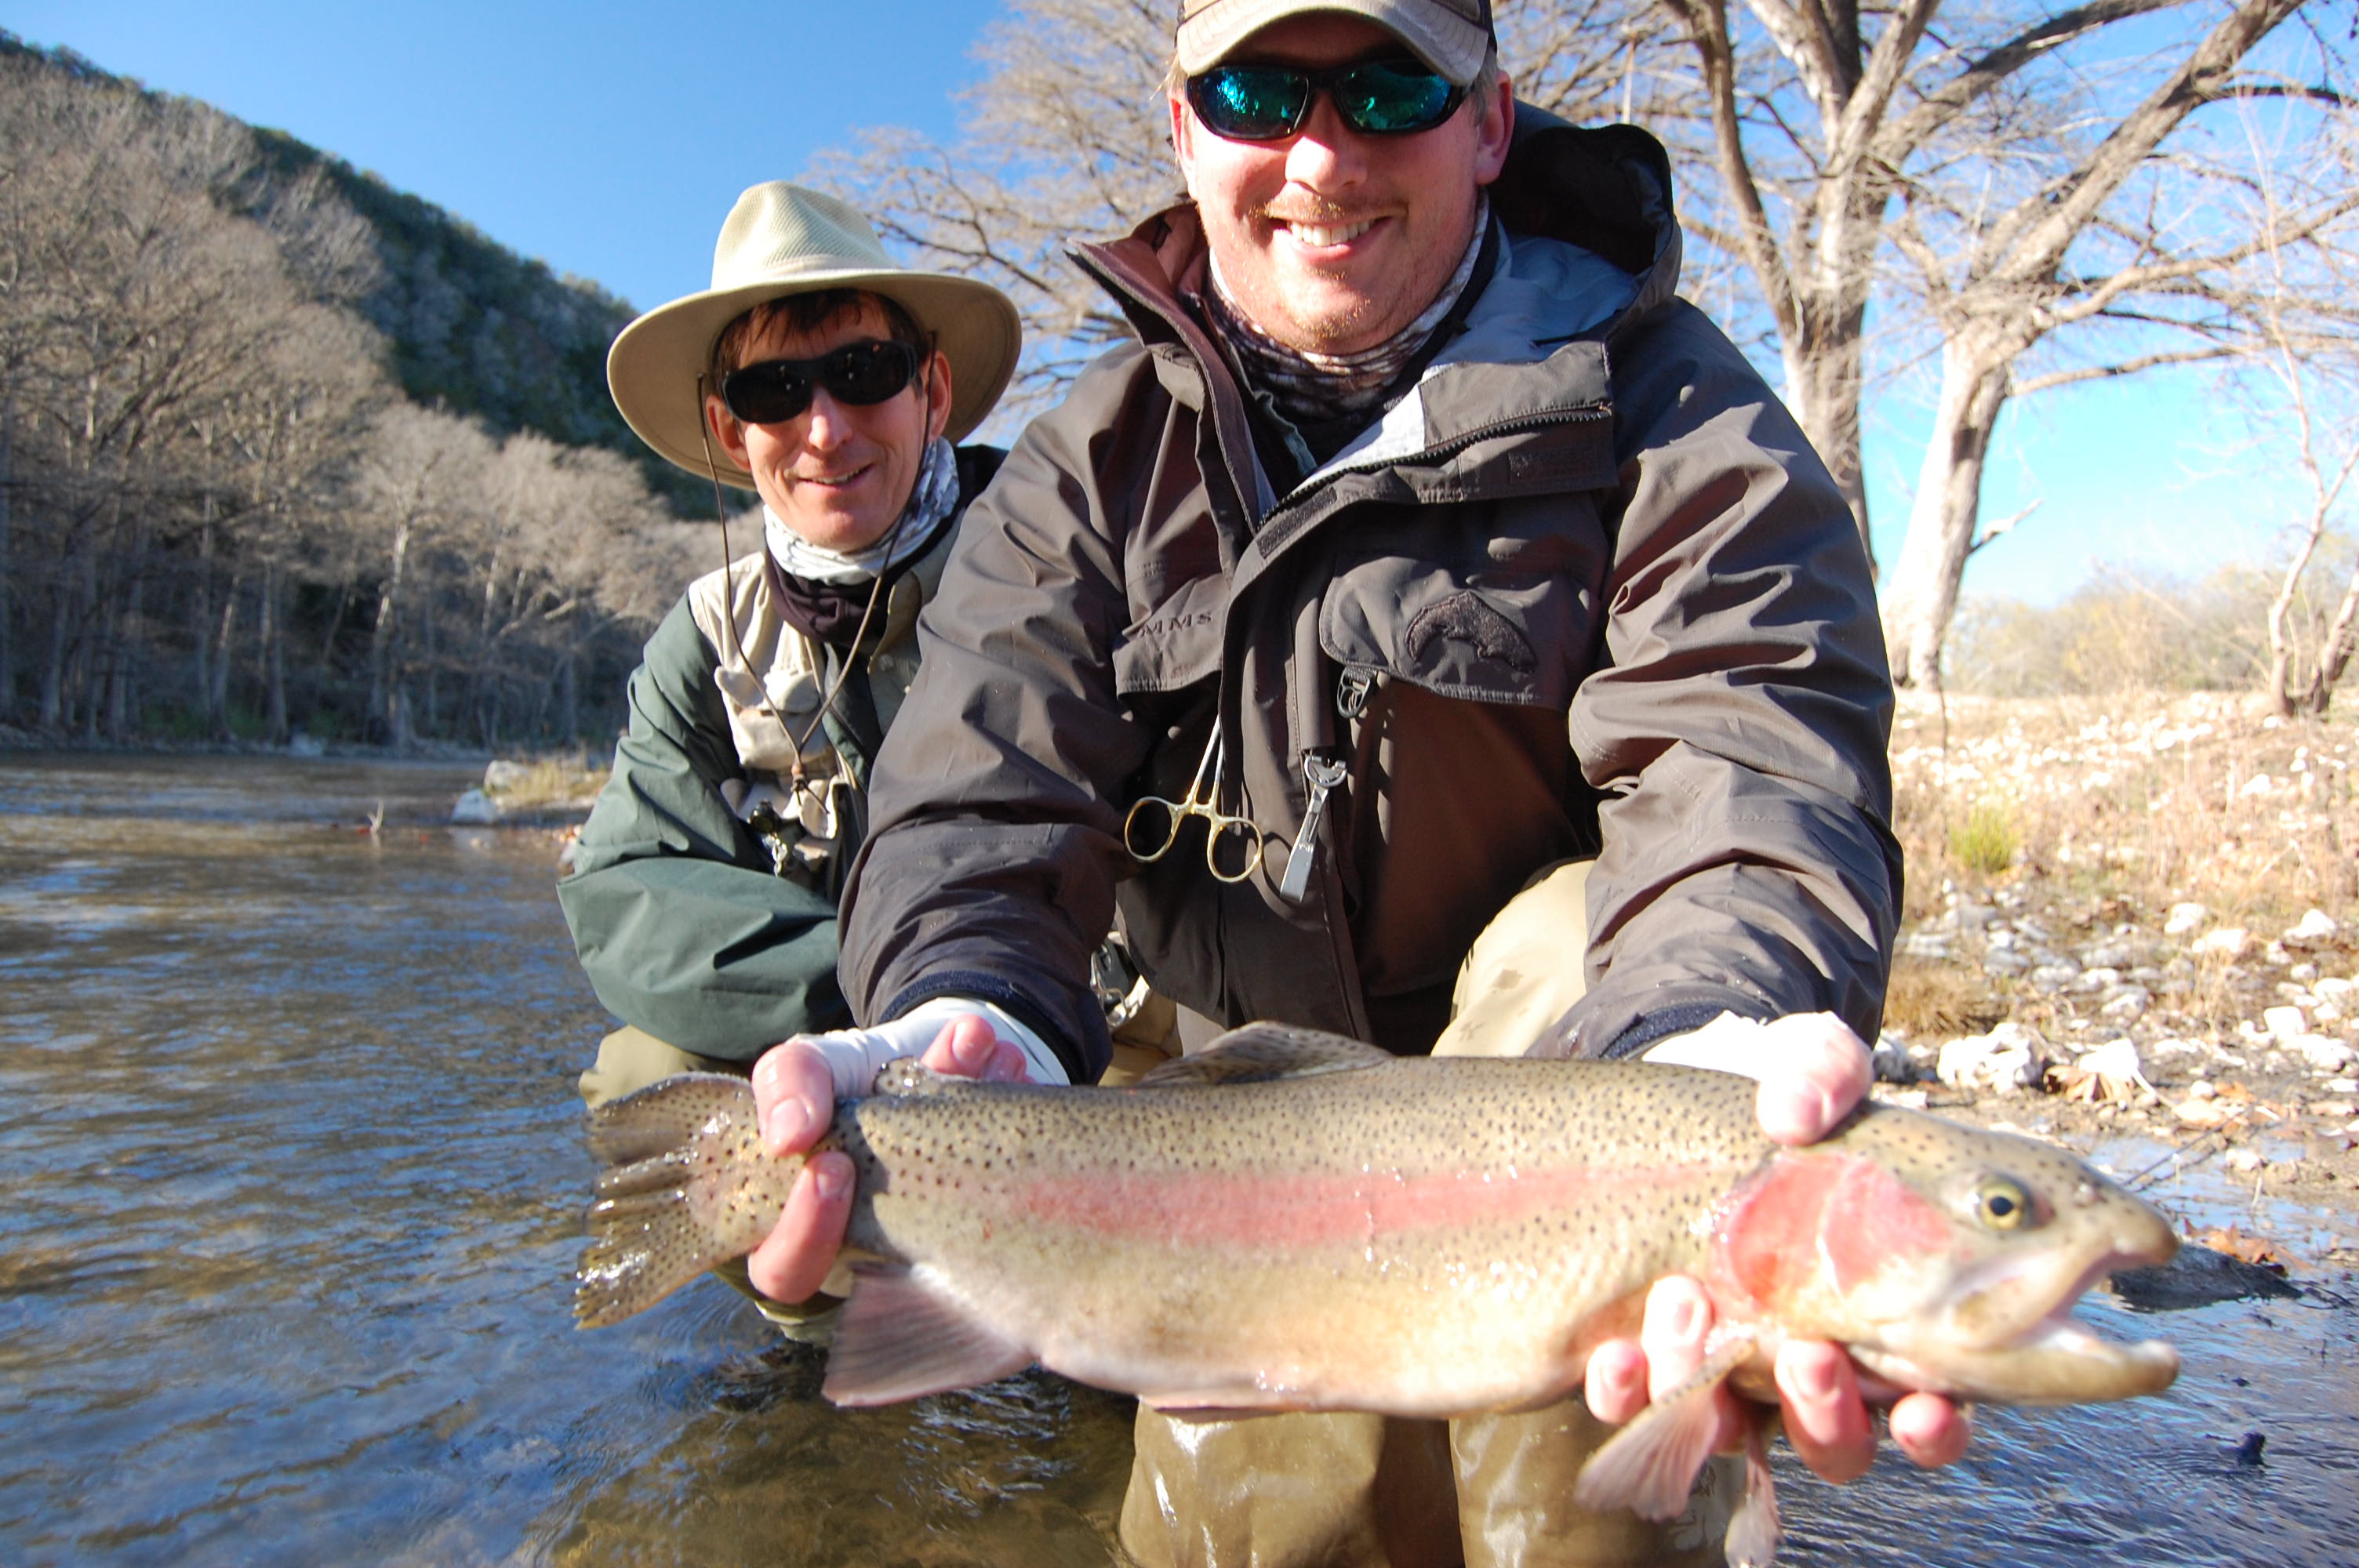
(794, 1093)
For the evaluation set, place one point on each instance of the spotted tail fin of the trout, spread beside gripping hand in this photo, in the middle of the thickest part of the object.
(688, 1185)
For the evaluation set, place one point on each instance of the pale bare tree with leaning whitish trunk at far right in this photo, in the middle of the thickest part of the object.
(2131, 242)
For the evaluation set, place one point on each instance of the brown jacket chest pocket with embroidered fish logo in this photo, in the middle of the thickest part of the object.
(1499, 612)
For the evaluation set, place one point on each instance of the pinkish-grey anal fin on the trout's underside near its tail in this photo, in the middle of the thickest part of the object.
(900, 1340)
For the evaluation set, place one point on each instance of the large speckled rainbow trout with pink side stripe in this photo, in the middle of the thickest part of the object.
(1301, 1223)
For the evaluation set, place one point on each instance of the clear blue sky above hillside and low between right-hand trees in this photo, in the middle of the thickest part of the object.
(607, 140)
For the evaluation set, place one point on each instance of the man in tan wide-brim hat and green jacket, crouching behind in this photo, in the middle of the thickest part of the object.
(834, 383)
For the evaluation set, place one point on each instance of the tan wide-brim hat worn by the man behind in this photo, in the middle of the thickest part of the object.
(791, 242)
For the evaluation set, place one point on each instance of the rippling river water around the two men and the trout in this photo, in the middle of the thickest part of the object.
(294, 1192)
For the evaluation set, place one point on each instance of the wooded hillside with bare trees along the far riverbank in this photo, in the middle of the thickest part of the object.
(284, 449)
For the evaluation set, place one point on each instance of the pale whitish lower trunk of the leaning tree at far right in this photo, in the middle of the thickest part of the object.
(1924, 588)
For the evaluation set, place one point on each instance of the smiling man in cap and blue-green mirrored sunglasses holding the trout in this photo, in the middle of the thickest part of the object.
(1428, 532)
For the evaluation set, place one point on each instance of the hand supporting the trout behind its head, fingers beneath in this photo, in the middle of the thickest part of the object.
(1813, 1069)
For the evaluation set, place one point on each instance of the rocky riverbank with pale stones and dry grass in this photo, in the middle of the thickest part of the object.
(2136, 921)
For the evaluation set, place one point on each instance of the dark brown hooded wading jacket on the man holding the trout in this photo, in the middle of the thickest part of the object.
(1582, 591)
